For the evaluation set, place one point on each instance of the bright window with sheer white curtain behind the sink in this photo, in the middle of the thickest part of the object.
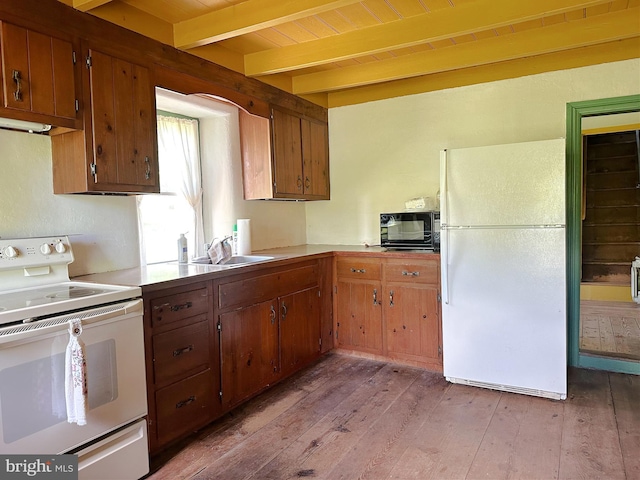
(178, 208)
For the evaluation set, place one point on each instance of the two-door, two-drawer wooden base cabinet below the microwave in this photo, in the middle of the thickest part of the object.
(390, 307)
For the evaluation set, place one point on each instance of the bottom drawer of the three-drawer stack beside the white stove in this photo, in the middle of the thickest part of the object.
(185, 406)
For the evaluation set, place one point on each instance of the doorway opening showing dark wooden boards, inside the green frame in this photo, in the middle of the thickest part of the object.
(609, 318)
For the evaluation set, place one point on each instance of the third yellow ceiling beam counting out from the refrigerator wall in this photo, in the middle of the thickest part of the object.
(439, 25)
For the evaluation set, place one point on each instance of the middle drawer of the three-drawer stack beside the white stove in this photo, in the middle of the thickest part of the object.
(180, 351)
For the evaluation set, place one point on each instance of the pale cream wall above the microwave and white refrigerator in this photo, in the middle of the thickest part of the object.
(385, 152)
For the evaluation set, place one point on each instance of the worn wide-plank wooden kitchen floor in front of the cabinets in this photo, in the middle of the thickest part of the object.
(353, 418)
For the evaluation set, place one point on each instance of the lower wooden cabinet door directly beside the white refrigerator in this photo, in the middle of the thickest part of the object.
(412, 322)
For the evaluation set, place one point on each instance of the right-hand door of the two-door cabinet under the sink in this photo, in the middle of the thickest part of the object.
(299, 329)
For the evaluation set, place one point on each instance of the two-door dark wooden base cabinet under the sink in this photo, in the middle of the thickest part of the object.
(269, 328)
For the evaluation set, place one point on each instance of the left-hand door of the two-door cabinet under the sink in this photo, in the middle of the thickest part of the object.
(249, 351)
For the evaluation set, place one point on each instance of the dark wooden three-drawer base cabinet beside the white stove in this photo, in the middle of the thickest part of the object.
(183, 363)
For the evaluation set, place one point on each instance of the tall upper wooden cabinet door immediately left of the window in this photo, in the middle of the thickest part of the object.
(124, 123)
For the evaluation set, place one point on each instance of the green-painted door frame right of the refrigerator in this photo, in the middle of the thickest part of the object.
(575, 112)
